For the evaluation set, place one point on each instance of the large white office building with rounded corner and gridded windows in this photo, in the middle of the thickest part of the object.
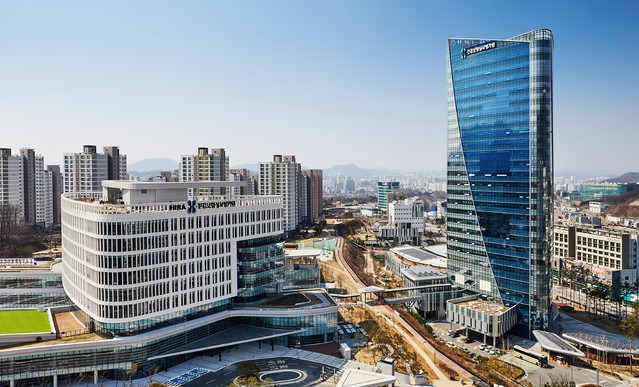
(167, 254)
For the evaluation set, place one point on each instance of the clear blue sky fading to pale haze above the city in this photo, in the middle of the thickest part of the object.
(333, 82)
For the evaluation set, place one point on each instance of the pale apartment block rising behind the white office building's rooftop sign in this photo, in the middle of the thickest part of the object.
(205, 166)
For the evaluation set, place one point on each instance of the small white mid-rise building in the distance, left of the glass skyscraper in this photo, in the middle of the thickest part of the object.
(405, 221)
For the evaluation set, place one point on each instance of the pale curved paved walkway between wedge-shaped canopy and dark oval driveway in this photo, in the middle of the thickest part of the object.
(188, 370)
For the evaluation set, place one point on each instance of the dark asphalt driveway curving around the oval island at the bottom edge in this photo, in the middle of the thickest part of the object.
(225, 376)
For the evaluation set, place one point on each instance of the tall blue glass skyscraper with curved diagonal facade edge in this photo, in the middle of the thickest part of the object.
(500, 171)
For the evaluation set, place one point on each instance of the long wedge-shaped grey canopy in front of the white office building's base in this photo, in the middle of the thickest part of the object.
(238, 334)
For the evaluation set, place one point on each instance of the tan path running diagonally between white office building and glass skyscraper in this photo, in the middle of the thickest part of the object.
(411, 336)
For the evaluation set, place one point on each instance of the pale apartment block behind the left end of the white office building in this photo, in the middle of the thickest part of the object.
(85, 172)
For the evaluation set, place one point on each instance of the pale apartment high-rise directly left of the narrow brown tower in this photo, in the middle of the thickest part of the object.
(283, 176)
